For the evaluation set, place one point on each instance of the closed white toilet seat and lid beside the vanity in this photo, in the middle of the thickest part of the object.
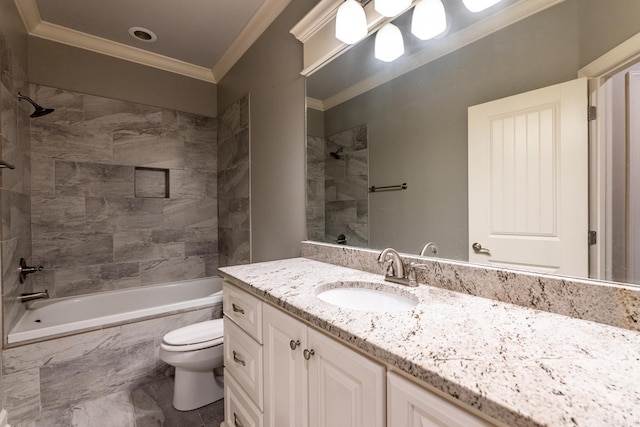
(194, 337)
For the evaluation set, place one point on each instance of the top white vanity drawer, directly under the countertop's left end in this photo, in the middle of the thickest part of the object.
(244, 309)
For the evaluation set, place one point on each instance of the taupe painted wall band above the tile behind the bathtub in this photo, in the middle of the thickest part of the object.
(65, 67)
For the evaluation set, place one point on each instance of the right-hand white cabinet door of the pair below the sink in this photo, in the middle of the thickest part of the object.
(345, 388)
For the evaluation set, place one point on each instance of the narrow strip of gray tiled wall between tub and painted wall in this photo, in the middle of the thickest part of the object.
(233, 184)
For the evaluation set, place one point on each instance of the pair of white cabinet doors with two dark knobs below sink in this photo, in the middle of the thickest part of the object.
(313, 380)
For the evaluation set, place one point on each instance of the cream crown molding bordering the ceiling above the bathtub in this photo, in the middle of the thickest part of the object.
(264, 16)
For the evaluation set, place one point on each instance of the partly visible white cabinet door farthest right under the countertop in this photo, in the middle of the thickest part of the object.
(414, 406)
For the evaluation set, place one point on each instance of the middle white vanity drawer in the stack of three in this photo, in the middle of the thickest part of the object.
(243, 358)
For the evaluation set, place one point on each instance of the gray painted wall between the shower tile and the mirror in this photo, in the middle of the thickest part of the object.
(270, 73)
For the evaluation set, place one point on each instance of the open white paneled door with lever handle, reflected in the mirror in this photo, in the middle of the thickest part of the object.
(528, 180)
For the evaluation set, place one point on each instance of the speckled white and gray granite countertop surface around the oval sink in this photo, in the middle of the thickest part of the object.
(521, 366)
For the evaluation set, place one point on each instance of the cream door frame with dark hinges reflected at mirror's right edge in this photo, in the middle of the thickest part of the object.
(600, 96)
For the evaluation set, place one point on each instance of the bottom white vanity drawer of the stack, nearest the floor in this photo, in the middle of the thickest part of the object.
(239, 411)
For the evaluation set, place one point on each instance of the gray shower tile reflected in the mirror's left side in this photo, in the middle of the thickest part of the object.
(337, 188)
